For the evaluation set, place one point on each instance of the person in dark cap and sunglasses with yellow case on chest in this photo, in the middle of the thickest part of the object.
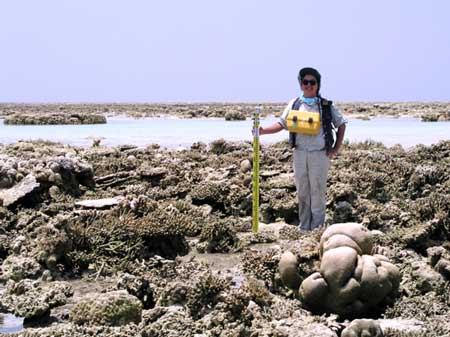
(310, 119)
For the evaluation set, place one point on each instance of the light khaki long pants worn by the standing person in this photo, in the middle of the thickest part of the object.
(311, 171)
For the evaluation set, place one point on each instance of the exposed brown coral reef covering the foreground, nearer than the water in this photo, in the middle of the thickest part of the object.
(131, 241)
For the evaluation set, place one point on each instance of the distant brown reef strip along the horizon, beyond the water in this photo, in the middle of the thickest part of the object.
(427, 111)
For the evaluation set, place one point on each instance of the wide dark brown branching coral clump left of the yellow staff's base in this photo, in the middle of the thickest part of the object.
(123, 237)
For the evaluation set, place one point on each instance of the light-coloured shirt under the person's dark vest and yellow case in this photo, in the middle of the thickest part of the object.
(311, 142)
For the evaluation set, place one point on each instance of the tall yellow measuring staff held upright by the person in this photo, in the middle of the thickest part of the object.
(255, 208)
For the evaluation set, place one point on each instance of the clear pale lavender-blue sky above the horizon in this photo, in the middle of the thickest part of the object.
(215, 51)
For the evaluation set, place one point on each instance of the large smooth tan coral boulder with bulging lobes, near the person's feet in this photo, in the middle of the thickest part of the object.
(351, 281)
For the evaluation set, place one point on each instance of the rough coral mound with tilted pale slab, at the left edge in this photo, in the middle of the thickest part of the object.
(32, 172)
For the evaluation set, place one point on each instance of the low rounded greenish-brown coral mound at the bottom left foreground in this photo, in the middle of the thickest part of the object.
(114, 308)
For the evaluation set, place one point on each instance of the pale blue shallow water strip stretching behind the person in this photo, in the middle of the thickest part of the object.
(175, 133)
